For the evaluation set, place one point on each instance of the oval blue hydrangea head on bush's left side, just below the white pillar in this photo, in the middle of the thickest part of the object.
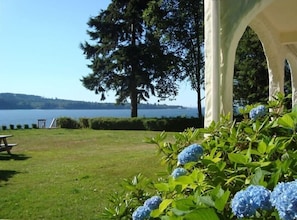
(190, 154)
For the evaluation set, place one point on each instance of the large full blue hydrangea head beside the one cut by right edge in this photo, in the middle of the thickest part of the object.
(246, 202)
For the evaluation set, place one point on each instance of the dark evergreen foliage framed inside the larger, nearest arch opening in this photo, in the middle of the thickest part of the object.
(250, 71)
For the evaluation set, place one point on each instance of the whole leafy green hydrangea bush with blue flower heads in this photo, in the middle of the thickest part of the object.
(231, 170)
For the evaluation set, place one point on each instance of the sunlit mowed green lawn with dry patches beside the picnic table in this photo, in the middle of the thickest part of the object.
(69, 174)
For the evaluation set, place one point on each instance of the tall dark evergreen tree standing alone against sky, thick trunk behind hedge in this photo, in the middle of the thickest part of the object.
(126, 57)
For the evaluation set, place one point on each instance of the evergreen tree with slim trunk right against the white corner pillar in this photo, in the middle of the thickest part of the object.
(180, 24)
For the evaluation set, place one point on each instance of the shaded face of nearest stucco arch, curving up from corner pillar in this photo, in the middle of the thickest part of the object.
(236, 21)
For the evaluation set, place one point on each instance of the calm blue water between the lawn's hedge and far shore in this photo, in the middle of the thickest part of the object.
(31, 116)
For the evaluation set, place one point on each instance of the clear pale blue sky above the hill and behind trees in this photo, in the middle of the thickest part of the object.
(40, 54)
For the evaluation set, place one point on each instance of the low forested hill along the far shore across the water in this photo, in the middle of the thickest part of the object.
(21, 101)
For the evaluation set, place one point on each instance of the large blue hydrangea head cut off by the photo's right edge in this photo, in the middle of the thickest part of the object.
(284, 199)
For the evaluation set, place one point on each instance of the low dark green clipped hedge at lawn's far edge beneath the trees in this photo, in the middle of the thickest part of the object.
(153, 124)
